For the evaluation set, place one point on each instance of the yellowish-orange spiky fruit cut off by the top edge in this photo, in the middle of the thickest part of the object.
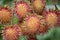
(38, 5)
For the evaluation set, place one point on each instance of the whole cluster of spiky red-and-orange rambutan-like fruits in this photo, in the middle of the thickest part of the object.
(33, 19)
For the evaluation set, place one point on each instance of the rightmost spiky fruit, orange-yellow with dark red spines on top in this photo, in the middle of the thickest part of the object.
(51, 17)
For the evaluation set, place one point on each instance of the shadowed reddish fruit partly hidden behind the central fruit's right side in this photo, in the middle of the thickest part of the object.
(43, 27)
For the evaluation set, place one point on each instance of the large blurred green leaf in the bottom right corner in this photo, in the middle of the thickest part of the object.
(53, 34)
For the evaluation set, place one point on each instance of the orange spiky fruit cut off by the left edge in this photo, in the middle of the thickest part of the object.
(5, 15)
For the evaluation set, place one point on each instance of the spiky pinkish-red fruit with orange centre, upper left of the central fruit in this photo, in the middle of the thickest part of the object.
(22, 9)
